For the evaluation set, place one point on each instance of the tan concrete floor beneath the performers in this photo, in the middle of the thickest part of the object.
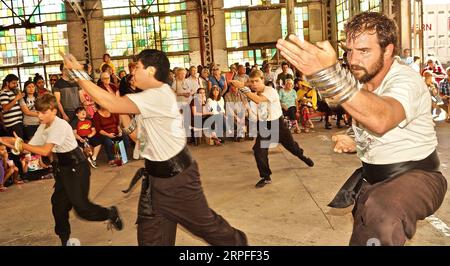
(292, 211)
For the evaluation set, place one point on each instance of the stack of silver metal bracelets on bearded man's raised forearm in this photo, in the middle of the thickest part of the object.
(336, 84)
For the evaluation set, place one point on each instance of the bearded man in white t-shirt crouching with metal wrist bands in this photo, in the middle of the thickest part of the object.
(399, 182)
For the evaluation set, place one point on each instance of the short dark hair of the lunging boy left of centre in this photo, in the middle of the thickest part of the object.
(156, 59)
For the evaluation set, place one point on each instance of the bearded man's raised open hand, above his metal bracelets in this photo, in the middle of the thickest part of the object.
(307, 57)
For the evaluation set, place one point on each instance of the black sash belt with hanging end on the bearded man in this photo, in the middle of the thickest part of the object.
(374, 173)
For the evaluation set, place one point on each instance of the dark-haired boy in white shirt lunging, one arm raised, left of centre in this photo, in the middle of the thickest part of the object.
(171, 191)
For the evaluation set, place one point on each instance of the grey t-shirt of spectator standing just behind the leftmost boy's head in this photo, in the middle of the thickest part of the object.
(70, 97)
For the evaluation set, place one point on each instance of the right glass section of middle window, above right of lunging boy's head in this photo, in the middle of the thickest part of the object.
(173, 33)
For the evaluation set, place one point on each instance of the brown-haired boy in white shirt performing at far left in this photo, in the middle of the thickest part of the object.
(72, 169)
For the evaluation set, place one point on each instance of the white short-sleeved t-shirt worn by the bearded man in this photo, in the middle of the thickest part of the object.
(415, 137)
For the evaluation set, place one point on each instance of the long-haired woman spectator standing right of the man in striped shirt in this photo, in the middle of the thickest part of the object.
(30, 120)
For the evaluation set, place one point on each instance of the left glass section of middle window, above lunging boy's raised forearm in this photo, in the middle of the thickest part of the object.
(118, 37)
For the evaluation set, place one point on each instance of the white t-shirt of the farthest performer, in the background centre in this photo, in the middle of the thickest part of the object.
(271, 110)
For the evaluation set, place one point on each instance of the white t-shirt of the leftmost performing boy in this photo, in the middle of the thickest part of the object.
(58, 133)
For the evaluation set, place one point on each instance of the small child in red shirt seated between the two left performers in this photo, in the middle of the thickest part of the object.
(85, 133)
